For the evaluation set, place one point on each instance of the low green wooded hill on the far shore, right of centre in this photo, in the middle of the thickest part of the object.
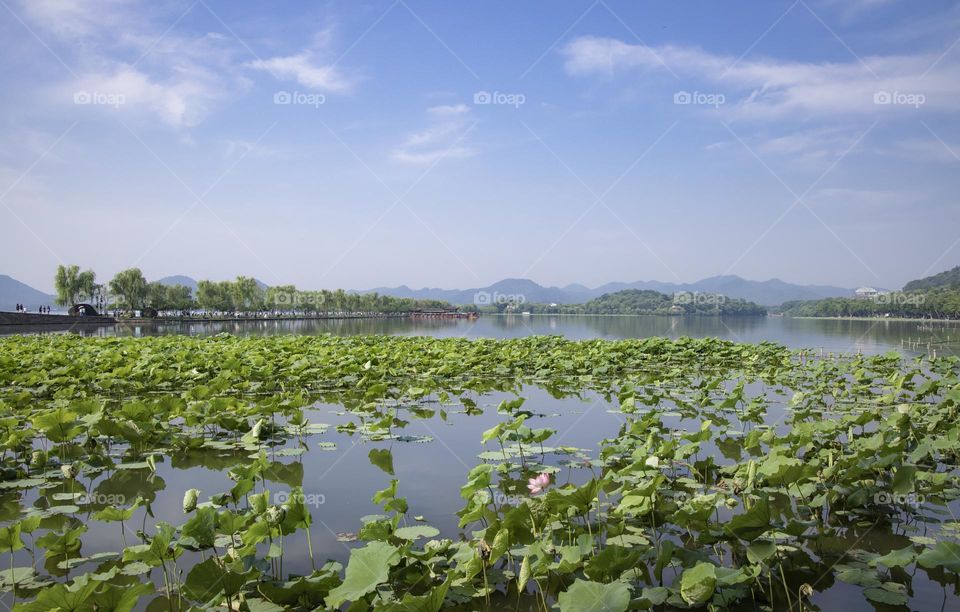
(643, 302)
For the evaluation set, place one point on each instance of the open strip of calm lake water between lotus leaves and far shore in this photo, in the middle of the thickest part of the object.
(832, 335)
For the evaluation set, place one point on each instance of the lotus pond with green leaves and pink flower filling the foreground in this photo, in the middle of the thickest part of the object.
(419, 474)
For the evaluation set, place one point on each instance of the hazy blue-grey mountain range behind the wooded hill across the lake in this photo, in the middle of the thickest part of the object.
(766, 293)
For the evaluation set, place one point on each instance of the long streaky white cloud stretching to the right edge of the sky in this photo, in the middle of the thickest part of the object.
(774, 89)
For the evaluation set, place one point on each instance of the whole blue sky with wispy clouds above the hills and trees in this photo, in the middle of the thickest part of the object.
(452, 144)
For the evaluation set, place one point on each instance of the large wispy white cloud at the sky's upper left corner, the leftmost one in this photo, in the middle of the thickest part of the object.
(141, 65)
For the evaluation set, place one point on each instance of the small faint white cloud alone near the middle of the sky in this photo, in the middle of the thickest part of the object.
(443, 138)
